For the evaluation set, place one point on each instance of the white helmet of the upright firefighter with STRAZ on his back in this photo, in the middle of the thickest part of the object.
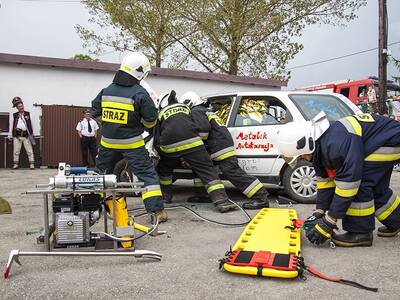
(136, 64)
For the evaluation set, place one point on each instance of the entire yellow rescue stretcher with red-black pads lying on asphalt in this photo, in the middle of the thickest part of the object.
(268, 246)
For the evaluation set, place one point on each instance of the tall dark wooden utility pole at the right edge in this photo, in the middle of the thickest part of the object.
(382, 53)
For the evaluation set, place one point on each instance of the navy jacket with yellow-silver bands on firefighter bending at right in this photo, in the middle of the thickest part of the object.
(344, 147)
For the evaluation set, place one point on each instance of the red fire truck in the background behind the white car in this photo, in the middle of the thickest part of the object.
(355, 90)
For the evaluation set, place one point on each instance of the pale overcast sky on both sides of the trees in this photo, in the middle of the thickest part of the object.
(46, 28)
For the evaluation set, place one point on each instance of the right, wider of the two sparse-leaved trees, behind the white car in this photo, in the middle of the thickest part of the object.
(255, 37)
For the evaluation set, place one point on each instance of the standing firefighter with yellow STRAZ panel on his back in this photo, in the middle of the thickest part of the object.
(126, 109)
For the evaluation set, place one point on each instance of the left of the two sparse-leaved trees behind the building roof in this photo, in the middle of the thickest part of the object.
(136, 25)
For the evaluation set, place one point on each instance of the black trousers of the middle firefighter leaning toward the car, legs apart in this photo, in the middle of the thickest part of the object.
(202, 165)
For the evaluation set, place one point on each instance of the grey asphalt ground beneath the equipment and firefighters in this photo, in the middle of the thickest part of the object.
(189, 267)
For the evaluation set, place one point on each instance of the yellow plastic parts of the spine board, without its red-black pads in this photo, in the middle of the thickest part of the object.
(270, 230)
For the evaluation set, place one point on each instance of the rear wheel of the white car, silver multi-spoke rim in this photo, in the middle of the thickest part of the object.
(300, 183)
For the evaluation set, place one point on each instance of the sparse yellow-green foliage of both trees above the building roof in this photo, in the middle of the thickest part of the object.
(247, 37)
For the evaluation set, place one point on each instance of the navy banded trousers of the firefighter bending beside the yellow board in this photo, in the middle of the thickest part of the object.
(374, 199)
